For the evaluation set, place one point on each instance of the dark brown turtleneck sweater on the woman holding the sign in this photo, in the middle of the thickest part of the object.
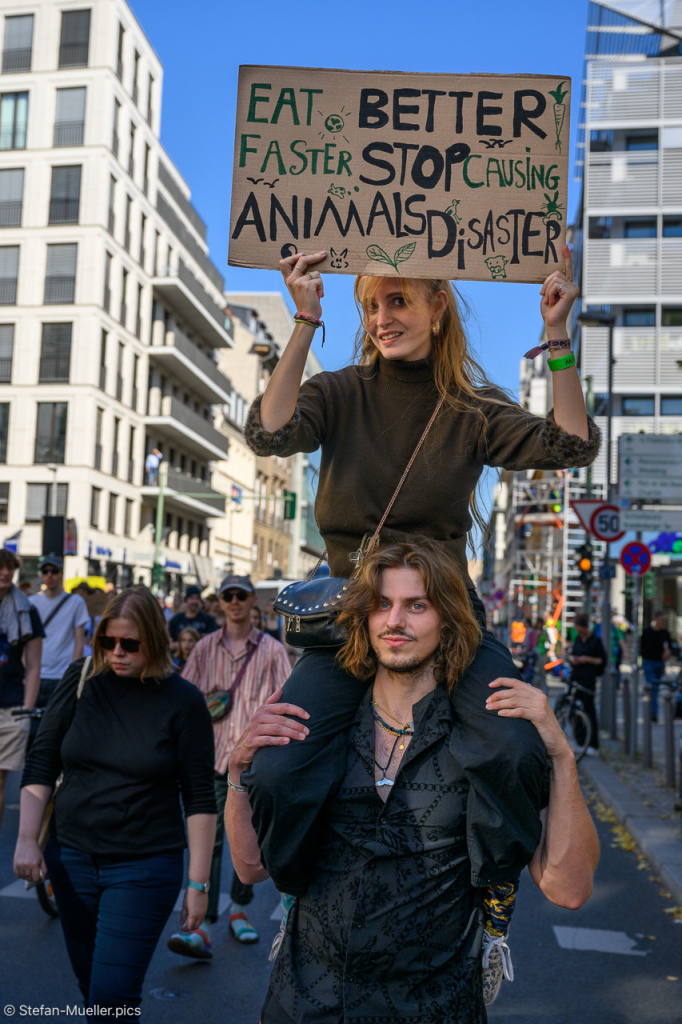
(368, 422)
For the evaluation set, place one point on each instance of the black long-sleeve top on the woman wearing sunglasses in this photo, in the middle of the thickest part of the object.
(129, 751)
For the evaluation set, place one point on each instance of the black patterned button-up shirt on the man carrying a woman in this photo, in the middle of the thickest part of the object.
(391, 929)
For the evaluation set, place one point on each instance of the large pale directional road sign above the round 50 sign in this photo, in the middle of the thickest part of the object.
(651, 467)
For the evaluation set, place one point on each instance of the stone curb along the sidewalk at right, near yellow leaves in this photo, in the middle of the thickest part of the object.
(661, 844)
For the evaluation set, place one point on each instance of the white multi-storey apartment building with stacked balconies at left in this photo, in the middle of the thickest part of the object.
(111, 311)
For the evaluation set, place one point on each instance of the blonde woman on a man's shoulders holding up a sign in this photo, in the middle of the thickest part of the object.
(368, 418)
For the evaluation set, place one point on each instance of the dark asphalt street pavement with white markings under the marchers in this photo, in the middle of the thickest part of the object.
(617, 961)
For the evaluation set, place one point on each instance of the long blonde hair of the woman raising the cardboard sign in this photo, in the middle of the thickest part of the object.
(457, 375)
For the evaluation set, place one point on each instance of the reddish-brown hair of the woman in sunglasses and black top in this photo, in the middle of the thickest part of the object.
(143, 609)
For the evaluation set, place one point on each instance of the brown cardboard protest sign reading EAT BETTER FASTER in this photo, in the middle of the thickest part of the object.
(420, 176)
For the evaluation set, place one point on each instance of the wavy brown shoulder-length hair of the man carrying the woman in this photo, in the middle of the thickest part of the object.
(445, 588)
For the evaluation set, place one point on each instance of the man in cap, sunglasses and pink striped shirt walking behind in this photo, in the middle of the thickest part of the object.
(253, 665)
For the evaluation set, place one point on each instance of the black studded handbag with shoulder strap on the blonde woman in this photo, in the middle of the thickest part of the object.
(311, 608)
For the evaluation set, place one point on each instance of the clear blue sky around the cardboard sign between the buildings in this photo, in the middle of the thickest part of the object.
(203, 45)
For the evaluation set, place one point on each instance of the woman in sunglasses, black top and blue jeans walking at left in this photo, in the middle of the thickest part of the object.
(137, 739)
